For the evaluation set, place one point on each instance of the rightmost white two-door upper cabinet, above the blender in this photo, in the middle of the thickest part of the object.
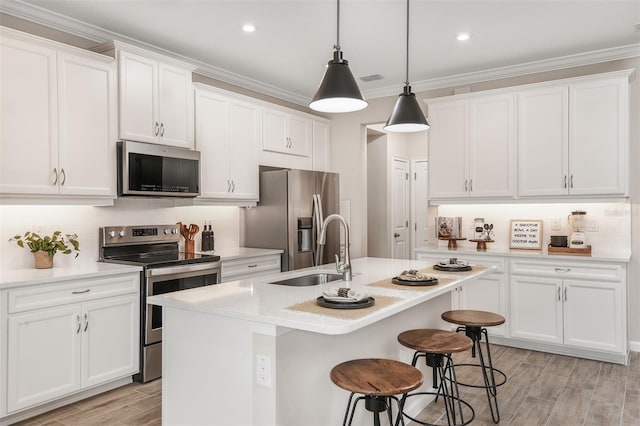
(573, 138)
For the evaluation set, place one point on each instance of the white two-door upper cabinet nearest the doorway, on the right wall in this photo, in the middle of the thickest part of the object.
(471, 147)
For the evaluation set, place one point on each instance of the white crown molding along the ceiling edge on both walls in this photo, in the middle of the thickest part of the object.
(96, 34)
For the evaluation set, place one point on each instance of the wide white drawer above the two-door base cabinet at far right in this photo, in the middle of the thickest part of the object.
(593, 271)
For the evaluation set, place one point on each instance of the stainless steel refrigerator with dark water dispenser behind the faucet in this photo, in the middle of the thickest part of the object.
(292, 207)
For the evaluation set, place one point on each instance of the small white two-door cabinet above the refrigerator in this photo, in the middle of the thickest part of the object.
(286, 133)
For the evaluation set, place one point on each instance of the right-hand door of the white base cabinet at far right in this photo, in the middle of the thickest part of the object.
(588, 327)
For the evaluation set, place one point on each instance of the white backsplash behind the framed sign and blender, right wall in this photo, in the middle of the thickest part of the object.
(613, 221)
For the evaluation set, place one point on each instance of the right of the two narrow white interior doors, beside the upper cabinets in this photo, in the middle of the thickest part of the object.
(420, 203)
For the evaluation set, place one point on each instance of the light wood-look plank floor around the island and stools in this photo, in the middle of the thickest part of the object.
(542, 389)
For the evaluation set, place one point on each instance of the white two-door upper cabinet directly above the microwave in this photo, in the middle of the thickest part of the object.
(156, 96)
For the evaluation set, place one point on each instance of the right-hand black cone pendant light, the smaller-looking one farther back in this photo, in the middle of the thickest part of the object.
(407, 116)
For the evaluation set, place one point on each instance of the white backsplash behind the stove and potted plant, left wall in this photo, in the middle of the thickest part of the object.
(85, 221)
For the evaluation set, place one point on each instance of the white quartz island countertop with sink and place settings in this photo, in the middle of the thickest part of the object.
(258, 301)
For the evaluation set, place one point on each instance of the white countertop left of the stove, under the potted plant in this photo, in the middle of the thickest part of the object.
(10, 278)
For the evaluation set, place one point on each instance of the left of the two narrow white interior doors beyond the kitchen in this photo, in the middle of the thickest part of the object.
(400, 208)
